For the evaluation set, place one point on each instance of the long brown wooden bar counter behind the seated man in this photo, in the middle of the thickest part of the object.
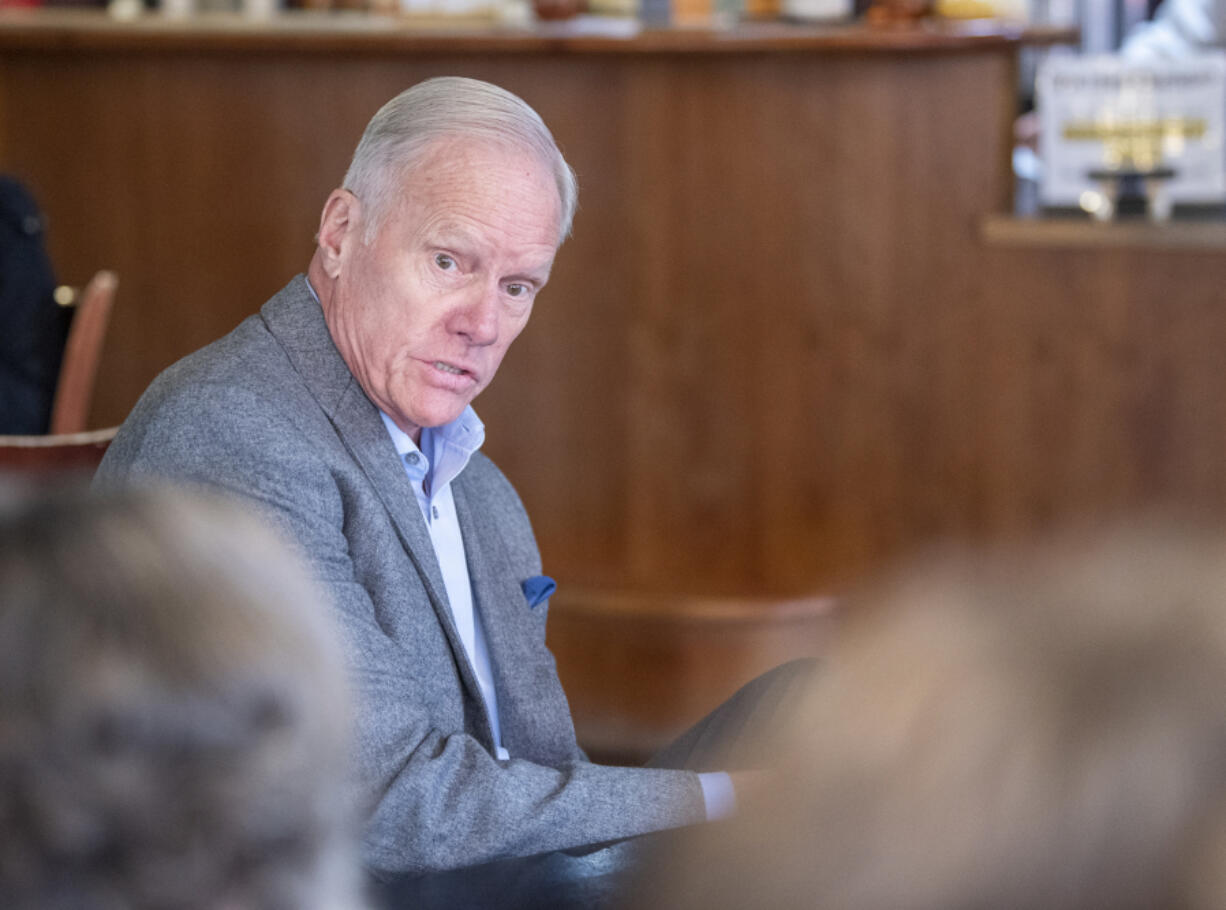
(779, 351)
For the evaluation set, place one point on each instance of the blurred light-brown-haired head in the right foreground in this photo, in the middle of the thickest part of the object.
(1039, 732)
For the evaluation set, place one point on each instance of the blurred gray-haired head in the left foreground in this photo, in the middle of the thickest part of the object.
(173, 719)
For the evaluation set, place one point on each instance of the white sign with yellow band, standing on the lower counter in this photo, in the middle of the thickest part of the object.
(1105, 113)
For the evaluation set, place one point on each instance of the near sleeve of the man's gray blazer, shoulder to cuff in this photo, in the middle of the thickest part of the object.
(436, 799)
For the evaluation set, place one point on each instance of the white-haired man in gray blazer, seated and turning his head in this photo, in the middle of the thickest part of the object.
(344, 410)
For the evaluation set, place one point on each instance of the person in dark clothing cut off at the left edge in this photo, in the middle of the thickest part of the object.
(34, 328)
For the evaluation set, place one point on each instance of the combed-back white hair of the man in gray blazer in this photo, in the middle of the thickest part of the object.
(402, 133)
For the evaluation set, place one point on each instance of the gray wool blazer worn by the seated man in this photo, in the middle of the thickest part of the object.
(273, 414)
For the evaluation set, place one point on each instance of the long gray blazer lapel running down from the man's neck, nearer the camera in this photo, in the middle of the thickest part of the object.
(295, 318)
